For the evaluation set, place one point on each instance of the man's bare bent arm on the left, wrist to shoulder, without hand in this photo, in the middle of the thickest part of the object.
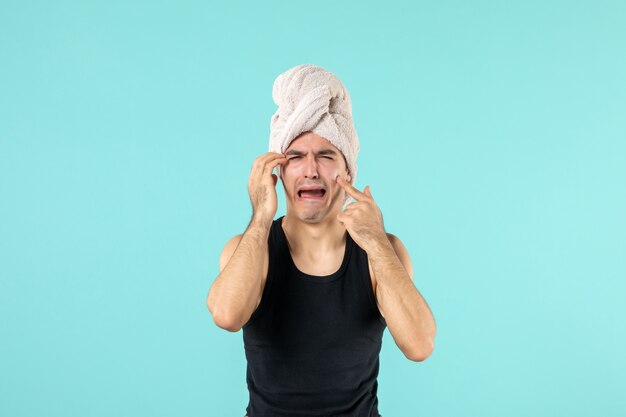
(234, 294)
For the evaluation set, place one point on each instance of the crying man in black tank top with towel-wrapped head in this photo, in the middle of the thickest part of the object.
(314, 289)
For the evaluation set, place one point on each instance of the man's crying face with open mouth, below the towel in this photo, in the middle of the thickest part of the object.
(312, 165)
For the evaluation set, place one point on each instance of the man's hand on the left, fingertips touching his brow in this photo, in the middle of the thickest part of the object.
(262, 185)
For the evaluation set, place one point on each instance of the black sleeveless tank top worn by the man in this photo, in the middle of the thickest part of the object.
(312, 345)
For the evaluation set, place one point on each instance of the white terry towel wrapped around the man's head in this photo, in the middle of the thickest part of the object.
(311, 98)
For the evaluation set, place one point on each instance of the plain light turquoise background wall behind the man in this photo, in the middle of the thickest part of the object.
(493, 135)
